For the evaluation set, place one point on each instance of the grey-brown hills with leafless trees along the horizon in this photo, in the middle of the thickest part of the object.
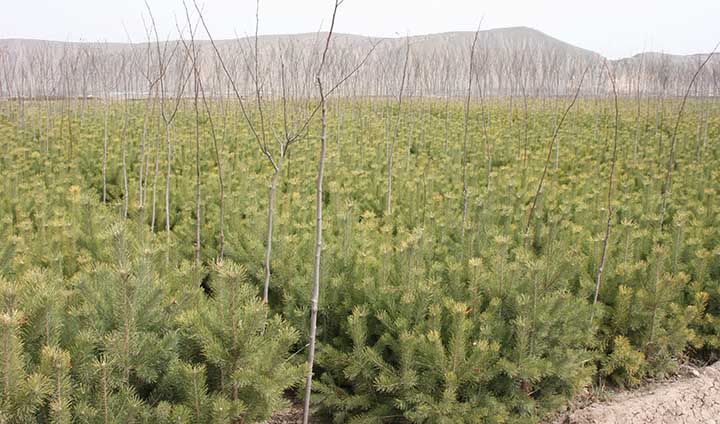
(511, 61)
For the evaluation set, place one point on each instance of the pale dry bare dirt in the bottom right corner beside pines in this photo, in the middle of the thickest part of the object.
(688, 400)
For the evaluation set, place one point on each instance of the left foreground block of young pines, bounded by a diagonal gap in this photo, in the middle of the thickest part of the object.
(98, 326)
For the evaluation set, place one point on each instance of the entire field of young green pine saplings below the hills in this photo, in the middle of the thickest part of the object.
(475, 268)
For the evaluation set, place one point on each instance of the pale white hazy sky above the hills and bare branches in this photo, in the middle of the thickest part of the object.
(615, 28)
